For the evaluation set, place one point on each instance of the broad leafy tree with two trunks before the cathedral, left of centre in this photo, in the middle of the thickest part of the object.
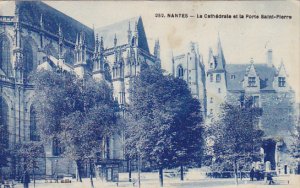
(77, 113)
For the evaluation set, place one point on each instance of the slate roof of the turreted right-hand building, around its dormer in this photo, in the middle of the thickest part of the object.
(265, 73)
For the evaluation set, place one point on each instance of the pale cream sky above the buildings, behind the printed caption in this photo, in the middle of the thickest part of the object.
(242, 39)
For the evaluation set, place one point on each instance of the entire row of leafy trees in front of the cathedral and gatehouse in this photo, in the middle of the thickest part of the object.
(163, 123)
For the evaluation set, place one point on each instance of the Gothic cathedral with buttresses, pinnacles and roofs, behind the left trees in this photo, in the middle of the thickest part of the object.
(36, 36)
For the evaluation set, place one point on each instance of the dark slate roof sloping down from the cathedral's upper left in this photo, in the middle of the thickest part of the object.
(30, 12)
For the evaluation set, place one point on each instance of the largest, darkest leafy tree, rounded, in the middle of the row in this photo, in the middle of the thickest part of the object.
(164, 122)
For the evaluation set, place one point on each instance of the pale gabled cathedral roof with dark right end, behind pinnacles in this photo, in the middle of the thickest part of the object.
(120, 29)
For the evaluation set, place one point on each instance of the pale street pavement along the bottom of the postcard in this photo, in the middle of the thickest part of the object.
(150, 180)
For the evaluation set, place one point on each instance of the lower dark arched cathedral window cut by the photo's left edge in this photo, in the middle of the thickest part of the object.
(3, 123)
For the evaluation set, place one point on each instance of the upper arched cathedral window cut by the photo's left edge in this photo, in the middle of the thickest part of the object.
(5, 63)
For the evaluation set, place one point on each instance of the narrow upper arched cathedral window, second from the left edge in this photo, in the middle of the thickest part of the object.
(27, 58)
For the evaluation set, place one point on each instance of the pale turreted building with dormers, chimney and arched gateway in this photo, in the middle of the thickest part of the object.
(267, 87)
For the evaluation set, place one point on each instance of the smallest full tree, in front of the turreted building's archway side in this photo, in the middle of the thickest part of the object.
(235, 138)
